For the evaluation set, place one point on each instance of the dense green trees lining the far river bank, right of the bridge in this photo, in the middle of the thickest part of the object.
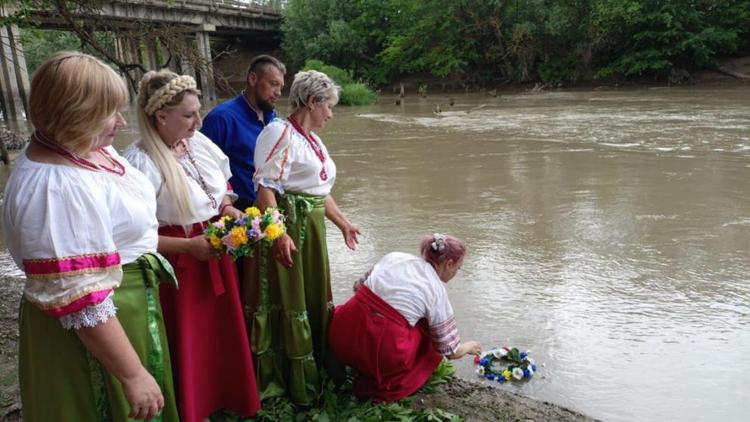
(489, 41)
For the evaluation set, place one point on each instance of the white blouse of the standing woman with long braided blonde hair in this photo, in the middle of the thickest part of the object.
(208, 164)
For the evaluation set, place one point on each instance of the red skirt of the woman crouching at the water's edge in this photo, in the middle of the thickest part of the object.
(391, 358)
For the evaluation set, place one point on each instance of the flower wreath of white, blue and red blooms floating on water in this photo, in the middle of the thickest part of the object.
(491, 364)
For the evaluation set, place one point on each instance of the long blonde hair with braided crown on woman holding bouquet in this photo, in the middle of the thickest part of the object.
(163, 90)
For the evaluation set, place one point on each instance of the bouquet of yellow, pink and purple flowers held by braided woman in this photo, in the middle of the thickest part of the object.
(239, 237)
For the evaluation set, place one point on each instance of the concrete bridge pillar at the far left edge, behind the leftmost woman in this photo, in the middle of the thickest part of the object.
(14, 81)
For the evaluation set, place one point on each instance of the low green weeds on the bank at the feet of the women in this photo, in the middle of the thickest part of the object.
(339, 404)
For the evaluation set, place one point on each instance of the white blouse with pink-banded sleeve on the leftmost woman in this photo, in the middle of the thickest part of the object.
(70, 230)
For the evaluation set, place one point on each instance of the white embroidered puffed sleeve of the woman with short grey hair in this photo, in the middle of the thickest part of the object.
(272, 159)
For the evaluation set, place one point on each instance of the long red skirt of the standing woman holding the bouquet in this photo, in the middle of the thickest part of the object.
(213, 367)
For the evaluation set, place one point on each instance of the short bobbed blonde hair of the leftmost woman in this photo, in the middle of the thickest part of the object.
(72, 96)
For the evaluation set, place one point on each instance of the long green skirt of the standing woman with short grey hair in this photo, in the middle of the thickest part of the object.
(288, 310)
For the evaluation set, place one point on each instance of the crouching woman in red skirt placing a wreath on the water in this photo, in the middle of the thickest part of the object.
(398, 326)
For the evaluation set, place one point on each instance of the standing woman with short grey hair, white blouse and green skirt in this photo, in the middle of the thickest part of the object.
(288, 288)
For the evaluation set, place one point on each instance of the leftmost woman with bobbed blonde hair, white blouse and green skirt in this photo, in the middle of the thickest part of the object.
(81, 223)
